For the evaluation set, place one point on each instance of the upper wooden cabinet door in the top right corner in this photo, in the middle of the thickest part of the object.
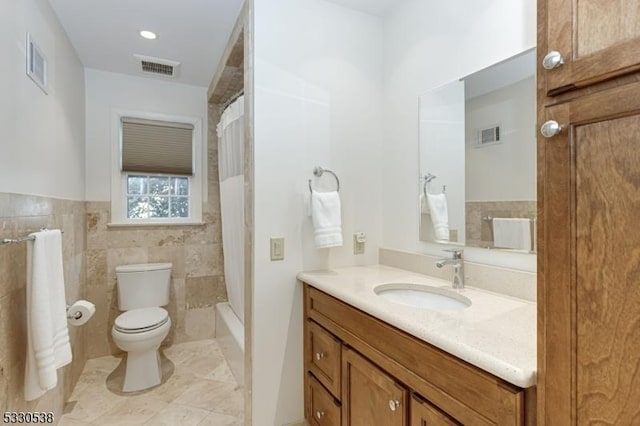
(598, 39)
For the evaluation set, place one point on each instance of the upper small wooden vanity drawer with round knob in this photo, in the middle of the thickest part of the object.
(323, 357)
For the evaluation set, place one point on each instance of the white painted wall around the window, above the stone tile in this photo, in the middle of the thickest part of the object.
(106, 92)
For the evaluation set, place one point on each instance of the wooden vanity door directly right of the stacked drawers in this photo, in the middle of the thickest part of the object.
(370, 396)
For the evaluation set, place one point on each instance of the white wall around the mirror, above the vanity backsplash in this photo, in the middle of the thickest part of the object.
(427, 44)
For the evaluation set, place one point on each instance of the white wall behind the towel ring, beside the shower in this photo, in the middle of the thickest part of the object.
(318, 79)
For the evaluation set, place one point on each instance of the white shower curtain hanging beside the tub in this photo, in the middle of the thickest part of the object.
(231, 169)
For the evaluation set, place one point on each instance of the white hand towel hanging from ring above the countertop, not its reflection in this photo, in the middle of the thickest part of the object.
(327, 221)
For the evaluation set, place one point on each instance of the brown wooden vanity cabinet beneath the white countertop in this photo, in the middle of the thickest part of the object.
(388, 377)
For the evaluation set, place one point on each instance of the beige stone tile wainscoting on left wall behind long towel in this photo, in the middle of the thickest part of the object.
(19, 216)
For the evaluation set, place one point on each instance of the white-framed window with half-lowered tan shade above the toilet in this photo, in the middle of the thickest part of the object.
(157, 178)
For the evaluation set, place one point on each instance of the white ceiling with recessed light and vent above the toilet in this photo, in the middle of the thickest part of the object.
(105, 33)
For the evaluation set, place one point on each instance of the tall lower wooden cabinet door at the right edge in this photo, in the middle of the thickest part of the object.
(589, 299)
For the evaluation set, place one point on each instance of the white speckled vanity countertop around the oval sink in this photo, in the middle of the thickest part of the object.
(497, 333)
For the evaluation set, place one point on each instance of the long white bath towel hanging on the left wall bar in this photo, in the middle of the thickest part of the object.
(48, 346)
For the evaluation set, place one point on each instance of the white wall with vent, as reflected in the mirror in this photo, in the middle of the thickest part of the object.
(504, 171)
